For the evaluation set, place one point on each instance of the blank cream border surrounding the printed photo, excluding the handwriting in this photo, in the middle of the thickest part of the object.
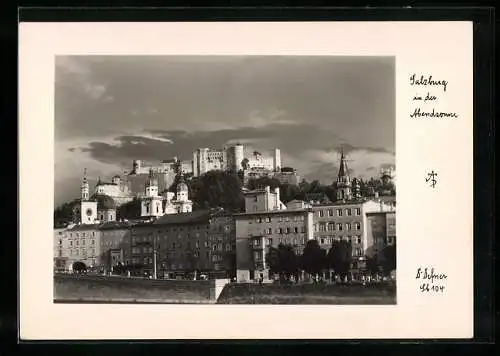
(434, 226)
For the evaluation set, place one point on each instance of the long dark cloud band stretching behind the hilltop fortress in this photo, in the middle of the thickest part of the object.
(183, 144)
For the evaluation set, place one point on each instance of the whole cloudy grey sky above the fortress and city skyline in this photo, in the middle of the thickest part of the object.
(110, 110)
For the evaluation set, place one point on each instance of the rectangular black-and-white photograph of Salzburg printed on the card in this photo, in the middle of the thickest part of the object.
(225, 179)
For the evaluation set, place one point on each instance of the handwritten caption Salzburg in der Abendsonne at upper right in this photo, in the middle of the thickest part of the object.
(430, 88)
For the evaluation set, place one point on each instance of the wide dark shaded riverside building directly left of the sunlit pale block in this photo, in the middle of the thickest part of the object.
(201, 240)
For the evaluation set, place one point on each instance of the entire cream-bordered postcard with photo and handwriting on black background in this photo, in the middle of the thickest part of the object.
(246, 180)
